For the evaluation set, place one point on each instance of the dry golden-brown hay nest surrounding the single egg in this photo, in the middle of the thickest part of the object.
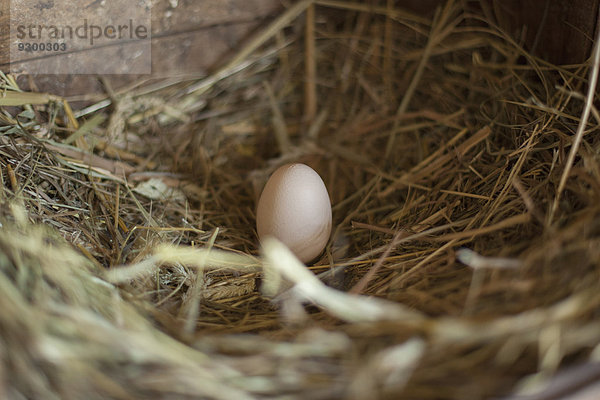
(464, 262)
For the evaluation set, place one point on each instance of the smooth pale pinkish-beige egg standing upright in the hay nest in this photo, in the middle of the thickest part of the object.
(294, 207)
